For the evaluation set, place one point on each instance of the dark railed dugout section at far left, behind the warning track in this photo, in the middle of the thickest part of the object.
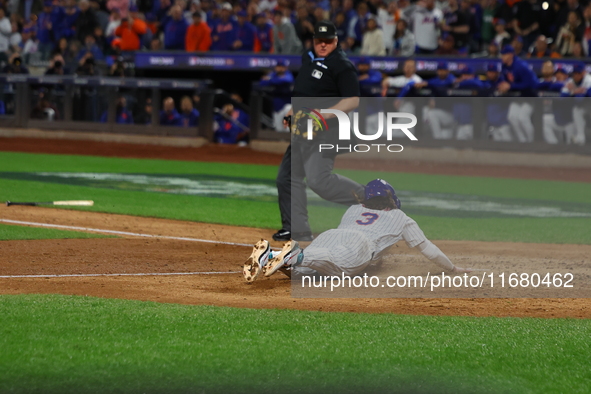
(84, 104)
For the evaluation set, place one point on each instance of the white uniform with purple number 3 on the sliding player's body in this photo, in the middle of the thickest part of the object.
(361, 236)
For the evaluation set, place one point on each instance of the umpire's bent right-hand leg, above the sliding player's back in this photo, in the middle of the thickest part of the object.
(329, 186)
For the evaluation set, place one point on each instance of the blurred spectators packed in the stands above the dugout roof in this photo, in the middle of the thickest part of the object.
(77, 33)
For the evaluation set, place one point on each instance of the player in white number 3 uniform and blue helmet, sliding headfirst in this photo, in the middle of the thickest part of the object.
(366, 230)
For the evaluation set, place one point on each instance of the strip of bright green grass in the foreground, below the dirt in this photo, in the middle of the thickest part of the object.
(65, 344)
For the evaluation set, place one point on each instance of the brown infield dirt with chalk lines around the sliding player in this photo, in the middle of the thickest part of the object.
(153, 255)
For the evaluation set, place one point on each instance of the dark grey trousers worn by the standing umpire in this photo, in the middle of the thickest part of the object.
(302, 160)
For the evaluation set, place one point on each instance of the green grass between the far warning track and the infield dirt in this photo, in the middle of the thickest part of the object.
(265, 214)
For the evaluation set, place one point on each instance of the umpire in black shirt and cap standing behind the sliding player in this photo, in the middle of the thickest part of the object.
(326, 73)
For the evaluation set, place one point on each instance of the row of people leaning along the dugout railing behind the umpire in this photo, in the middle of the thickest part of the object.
(508, 116)
